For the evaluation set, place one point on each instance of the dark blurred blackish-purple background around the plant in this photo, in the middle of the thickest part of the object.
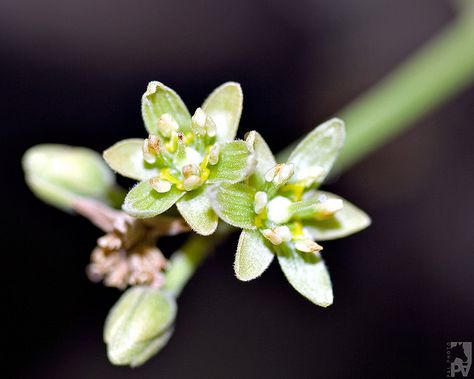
(73, 73)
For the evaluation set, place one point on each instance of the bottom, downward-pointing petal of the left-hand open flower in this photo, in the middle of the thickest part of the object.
(196, 209)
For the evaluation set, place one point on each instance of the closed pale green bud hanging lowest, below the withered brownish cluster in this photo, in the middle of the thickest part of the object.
(139, 325)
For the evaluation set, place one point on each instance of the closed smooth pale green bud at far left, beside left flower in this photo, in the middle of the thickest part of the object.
(59, 174)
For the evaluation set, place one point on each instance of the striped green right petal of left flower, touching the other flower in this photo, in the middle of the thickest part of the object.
(234, 165)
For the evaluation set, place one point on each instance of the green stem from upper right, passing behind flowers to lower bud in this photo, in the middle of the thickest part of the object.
(430, 77)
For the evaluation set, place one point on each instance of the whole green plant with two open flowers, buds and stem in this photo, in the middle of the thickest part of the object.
(194, 164)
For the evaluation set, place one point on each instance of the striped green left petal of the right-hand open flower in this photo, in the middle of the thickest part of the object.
(234, 204)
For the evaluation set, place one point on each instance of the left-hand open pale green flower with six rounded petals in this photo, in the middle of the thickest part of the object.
(183, 154)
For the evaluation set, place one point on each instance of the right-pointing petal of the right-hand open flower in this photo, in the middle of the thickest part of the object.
(347, 221)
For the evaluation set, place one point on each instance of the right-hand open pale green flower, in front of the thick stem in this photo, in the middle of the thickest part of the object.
(283, 214)
